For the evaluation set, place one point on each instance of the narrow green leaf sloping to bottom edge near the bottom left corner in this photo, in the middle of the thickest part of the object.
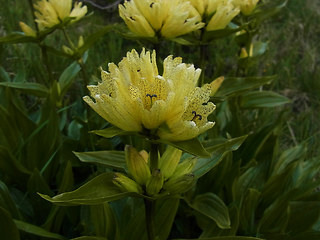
(35, 230)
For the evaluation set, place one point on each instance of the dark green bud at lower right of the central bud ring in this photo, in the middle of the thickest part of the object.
(179, 184)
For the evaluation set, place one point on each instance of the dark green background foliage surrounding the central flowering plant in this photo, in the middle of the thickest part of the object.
(266, 189)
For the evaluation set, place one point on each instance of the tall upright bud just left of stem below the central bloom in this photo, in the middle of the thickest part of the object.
(137, 165)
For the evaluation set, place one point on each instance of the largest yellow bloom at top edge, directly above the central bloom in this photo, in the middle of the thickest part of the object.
(169, 18)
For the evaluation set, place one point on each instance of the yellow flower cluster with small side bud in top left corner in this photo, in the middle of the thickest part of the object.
(53, 12)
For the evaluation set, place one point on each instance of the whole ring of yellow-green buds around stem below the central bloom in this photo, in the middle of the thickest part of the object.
(172, 176)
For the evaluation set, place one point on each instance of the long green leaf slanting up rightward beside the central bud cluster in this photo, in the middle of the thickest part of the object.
(218, 151)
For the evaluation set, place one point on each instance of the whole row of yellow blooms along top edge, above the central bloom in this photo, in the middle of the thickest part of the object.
(172, 18)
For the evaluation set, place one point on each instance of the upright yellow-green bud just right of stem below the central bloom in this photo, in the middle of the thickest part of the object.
(169, 161)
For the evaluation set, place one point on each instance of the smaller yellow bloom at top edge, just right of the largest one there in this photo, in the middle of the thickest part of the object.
(216, 13)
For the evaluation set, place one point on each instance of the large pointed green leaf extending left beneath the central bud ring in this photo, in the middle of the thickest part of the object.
(98, 190)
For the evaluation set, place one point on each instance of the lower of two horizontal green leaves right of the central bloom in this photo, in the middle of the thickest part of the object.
(262, 99)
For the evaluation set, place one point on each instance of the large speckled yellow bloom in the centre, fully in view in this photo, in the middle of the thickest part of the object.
(134, 97)
